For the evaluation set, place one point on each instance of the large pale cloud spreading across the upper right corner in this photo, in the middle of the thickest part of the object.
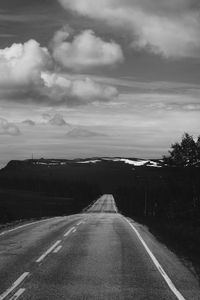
(170, 28)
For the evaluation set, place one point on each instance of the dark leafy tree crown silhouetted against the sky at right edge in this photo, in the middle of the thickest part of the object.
(186, 153)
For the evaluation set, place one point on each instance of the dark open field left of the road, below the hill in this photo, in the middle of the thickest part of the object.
(25, 205)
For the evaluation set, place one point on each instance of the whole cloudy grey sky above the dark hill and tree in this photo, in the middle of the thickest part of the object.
(81, 78)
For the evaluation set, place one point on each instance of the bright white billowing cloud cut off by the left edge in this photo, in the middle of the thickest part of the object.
(21, 64)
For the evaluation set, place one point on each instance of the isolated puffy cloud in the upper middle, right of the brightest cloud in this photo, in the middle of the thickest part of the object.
(86, 50)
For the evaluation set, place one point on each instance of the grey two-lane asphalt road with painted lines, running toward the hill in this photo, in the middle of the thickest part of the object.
(95, 255)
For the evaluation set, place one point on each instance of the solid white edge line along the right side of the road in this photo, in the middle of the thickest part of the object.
(172, 287)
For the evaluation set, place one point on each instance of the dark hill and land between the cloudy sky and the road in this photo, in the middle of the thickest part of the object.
(165, 198)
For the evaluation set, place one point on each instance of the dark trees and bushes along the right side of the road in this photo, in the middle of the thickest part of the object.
(168, 200)
